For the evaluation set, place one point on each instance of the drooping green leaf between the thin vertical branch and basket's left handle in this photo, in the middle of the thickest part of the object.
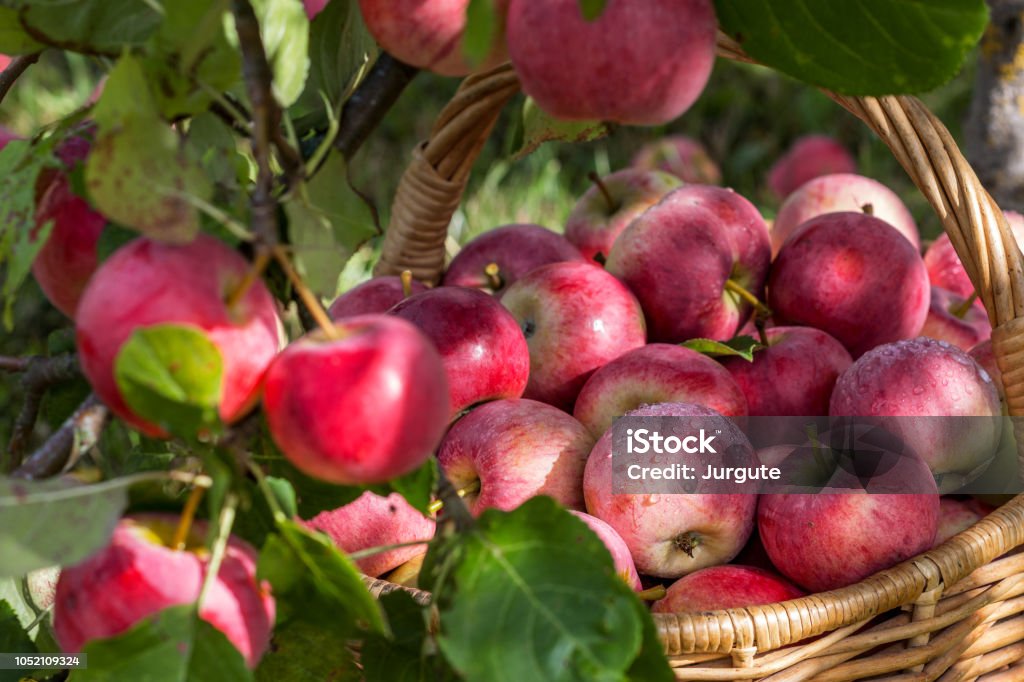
(327, 223)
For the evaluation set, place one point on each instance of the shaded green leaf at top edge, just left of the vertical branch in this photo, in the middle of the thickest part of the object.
(192, 56)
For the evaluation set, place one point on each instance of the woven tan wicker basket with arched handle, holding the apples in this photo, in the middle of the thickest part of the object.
(956, 613)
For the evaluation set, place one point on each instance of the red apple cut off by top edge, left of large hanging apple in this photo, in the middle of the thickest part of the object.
(428, 34)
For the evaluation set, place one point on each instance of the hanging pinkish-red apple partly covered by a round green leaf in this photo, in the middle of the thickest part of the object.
(147, 283)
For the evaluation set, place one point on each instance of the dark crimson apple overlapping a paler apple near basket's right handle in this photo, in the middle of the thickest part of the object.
(852, 276)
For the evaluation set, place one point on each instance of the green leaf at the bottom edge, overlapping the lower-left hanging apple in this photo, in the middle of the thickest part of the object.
(175, 646)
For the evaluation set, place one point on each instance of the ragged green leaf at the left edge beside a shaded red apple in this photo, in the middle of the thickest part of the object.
(21, 164)
